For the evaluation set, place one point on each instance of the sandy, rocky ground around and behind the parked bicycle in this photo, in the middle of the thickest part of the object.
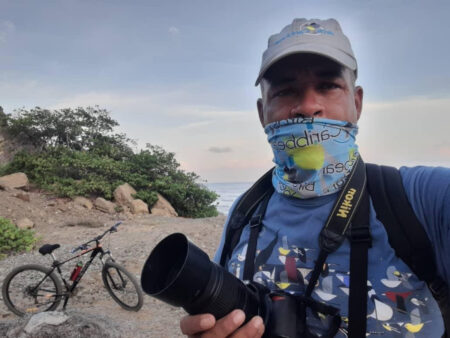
(60, 221)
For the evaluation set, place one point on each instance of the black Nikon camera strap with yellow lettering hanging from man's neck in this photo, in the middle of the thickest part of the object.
(352, 203)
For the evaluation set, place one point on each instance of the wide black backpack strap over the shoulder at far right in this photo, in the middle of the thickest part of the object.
(406, 234)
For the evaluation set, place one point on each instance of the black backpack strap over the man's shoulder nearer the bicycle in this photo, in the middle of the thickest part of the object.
(242, 213)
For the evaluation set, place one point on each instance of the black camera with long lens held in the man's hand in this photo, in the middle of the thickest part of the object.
(181, 274)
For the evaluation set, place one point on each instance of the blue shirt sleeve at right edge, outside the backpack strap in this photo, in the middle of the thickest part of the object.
(428, 191)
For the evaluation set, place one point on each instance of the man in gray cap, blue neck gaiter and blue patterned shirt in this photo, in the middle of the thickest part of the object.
(309, 109)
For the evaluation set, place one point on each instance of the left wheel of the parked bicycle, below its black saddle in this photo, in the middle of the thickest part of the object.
(19, 283)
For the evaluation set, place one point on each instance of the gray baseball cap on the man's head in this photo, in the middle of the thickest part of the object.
(323, 37)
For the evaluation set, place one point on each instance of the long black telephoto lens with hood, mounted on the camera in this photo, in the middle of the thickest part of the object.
(181, 274)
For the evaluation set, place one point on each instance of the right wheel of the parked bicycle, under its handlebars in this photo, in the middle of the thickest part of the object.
(116, 278)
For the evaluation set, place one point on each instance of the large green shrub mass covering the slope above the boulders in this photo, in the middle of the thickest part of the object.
(79, 155)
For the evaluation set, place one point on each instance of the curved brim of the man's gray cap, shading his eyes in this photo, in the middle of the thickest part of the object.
(324, 50)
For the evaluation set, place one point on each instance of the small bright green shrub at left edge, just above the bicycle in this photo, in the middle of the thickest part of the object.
(13, 239)
